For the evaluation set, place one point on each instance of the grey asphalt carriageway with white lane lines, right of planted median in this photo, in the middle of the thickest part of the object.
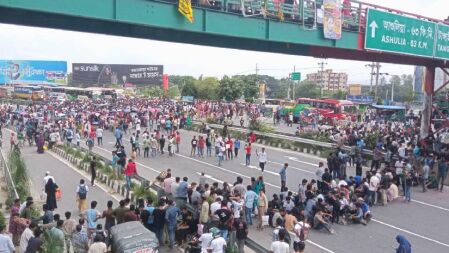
(421, 221)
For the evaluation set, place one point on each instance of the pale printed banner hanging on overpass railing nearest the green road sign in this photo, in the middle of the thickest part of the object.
(332, 19)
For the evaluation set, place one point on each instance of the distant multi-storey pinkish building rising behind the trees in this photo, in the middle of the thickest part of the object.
(330, 81)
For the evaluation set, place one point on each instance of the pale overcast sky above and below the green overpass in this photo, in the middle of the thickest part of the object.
(30, 43)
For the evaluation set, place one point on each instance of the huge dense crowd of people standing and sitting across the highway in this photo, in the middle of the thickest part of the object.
(400, 161)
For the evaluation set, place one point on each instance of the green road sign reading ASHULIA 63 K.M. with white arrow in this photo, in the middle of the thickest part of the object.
(395, 33)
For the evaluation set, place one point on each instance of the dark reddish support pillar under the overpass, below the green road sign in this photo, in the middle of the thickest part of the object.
(428, 94)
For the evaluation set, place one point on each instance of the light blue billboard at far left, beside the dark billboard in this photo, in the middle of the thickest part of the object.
(32, 72)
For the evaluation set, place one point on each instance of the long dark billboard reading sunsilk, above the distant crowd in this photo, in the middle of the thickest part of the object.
(118, 74)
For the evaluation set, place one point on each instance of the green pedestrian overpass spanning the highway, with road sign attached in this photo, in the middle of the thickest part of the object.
(367, 32)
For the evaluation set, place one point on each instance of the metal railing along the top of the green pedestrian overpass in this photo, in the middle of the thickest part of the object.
(308, 13)
